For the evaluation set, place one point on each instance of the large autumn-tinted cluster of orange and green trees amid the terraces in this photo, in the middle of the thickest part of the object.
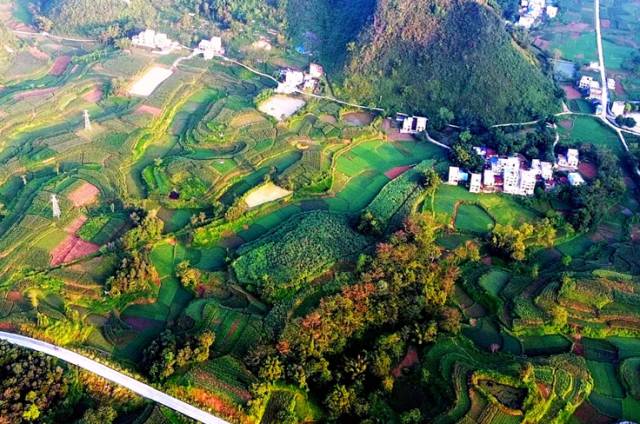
(349, 347)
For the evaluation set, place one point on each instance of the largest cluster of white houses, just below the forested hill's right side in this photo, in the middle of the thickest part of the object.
(512, 175)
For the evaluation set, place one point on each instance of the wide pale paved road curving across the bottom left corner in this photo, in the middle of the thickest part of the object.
(112, 375)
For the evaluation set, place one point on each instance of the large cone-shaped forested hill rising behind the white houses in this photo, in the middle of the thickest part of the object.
(421, 55)
